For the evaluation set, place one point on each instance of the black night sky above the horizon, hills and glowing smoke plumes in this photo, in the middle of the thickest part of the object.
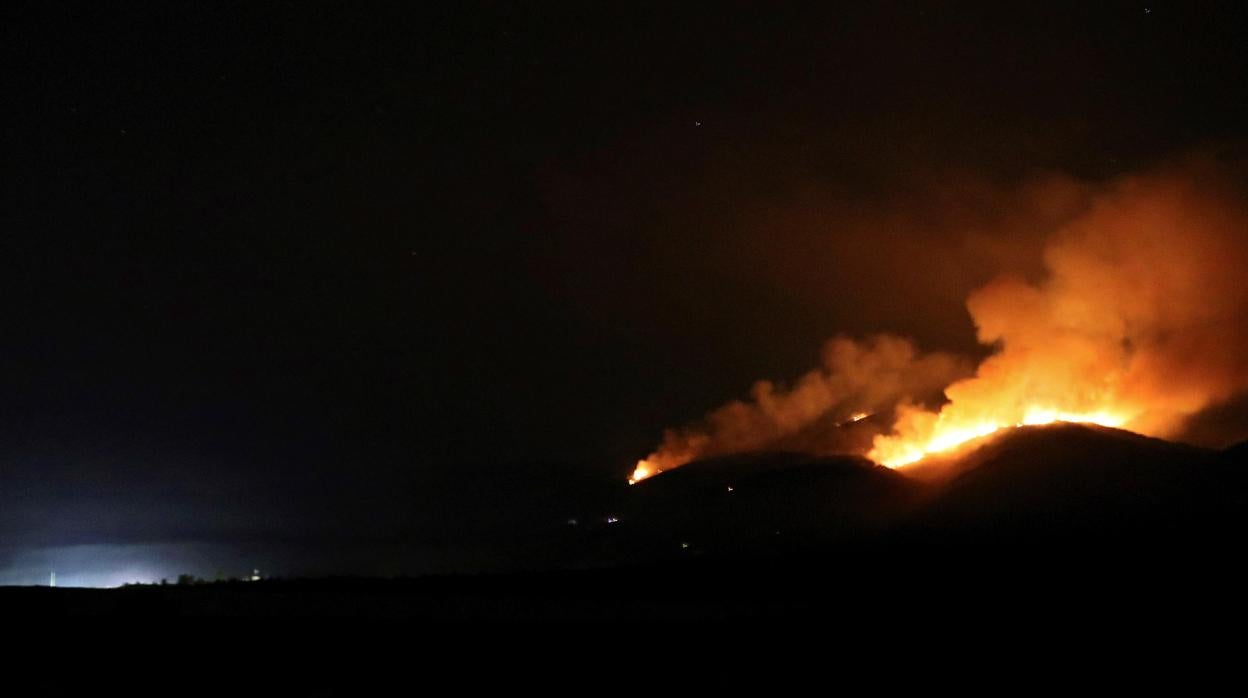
(339, 275)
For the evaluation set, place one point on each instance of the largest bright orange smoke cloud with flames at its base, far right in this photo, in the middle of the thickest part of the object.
(1139, 324)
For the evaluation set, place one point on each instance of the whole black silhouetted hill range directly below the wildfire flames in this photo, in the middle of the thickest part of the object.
(1065, 485)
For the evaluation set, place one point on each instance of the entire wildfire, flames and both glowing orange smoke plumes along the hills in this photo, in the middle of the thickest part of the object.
(1138, 324)
